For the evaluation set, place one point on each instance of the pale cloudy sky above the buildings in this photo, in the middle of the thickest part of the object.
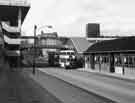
(69, 17)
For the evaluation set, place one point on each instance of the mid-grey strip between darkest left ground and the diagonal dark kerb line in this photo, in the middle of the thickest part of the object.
(66, 92)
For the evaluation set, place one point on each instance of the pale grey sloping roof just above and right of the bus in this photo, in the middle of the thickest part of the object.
(80, 44)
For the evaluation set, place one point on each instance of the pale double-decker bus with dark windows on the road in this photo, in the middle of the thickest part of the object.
(67, 59)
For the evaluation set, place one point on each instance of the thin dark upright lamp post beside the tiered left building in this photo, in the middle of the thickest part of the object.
(35, 29)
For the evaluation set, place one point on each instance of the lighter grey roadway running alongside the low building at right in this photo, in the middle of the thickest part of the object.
(115, 87)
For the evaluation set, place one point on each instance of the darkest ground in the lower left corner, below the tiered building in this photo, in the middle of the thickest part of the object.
(17, 87)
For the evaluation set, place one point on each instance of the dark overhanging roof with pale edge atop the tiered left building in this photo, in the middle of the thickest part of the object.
(9, 9)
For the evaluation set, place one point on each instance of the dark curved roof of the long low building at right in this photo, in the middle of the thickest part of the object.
(125, 44)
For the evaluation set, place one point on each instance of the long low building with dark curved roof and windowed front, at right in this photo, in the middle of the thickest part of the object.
(112, 56)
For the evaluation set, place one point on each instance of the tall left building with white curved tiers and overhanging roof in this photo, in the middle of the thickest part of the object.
(12, 15)
